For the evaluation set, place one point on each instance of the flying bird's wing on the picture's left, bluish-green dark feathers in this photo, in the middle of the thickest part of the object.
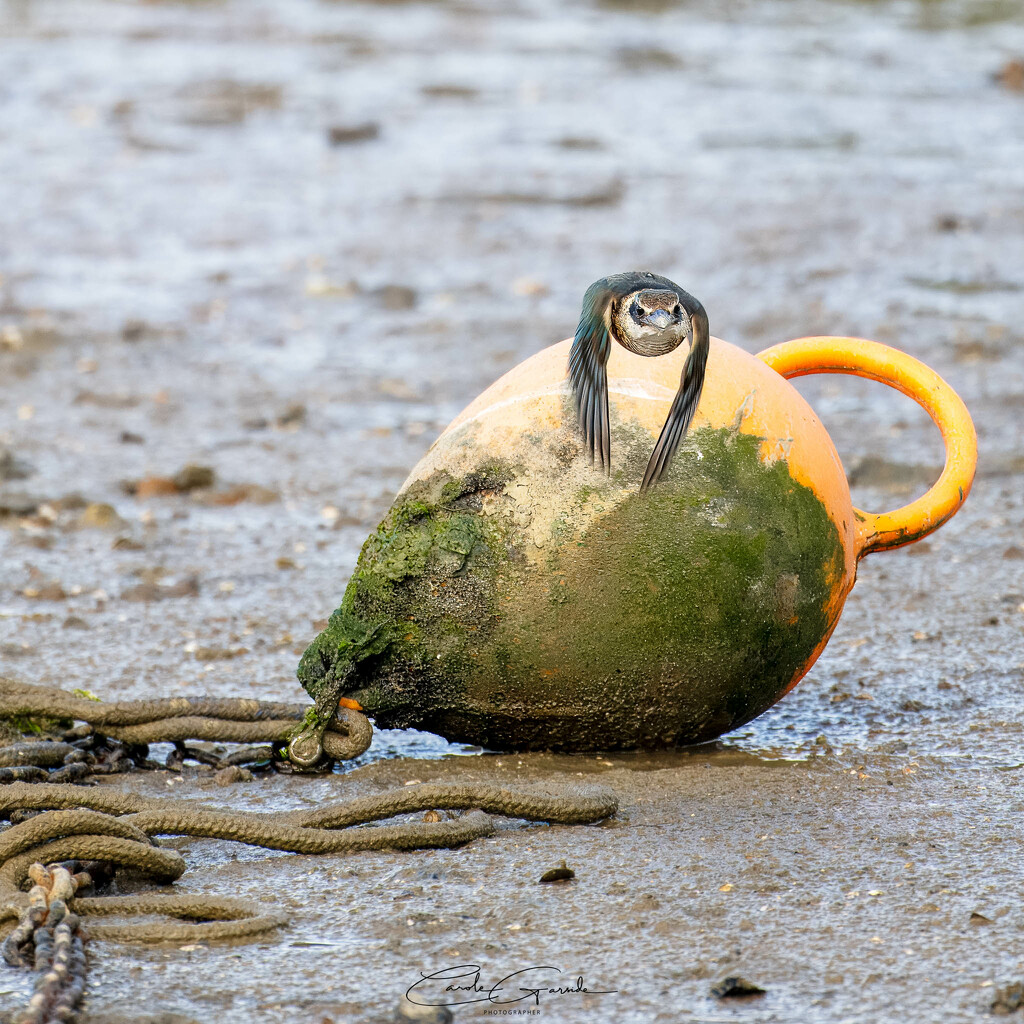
(588, 376)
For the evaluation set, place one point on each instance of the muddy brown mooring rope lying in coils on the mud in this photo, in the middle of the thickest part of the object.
(84, 833)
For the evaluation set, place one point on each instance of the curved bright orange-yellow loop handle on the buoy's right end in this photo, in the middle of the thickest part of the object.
(880, 363)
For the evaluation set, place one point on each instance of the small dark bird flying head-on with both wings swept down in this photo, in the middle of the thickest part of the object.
(650, 316)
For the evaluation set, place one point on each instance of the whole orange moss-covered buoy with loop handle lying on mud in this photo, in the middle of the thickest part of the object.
(518, 598)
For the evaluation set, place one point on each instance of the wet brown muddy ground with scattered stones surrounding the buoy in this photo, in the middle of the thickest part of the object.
(291, 241)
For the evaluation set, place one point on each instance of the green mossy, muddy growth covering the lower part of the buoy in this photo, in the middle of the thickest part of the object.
(648, 620)
